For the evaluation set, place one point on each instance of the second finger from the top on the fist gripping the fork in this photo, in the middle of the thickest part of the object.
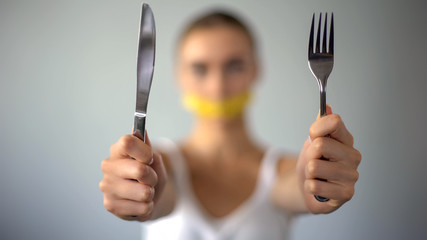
(334, 151)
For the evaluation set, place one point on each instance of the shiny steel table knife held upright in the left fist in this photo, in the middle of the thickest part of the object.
(145, 68)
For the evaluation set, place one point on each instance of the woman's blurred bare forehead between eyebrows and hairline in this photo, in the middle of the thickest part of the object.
(215, 44)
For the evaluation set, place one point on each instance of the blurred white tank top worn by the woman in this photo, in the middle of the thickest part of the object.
(255, 219)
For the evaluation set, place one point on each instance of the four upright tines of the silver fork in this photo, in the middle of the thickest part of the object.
(330, 50)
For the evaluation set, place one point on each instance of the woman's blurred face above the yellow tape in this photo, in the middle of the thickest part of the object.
(216, 63)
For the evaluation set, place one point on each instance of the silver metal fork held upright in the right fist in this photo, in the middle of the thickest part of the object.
(321, 62)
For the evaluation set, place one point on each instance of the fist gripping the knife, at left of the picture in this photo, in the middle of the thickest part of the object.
(134, 177)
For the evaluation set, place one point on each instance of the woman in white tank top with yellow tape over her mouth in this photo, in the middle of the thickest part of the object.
(218, 183)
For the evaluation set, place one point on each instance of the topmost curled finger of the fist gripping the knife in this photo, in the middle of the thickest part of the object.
(130, 146)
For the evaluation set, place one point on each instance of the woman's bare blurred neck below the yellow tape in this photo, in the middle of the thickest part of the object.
(219, 137)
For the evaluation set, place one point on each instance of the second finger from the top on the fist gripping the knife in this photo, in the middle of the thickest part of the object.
(130, 169)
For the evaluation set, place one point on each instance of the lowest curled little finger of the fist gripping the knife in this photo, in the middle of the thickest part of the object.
(125, 208)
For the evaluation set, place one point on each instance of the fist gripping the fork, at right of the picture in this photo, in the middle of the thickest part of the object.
(329, 139)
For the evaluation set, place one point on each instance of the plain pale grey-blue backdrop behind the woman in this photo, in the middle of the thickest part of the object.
(67, 92)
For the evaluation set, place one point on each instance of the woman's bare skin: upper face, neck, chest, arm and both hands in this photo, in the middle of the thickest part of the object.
(223, 160)
